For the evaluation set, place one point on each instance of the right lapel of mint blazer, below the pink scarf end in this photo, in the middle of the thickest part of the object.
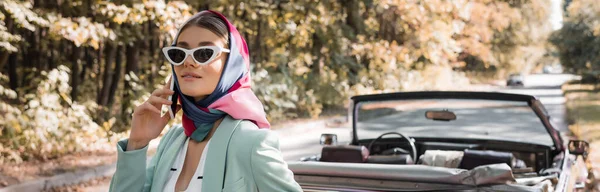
(216, 157)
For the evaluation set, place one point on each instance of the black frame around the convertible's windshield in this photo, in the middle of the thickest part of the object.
(531, 101)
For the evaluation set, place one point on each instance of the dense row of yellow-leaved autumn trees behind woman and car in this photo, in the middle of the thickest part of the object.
(306, 55)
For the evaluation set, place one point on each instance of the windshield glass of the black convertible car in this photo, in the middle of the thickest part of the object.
(475, 119)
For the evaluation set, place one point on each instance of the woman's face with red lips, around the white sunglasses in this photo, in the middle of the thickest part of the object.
(194, 80)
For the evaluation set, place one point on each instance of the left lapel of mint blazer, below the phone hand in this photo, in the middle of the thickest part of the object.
(166, 161)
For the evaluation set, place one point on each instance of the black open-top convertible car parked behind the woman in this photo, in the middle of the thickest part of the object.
(446, 141)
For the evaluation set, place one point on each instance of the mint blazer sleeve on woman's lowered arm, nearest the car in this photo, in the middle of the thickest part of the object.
(269, 170)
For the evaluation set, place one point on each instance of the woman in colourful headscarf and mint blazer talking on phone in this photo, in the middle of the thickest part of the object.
(221, 144)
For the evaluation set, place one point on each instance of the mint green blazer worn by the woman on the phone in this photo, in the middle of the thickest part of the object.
(240, 157)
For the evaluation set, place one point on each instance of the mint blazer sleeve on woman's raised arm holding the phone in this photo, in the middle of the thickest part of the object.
(131, 173)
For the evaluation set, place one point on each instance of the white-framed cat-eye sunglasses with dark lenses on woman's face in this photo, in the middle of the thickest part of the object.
(201, 55)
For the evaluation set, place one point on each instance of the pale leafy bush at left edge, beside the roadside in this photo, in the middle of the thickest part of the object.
(49, 124)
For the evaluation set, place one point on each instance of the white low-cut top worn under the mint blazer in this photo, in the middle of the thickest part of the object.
(196, 182)
